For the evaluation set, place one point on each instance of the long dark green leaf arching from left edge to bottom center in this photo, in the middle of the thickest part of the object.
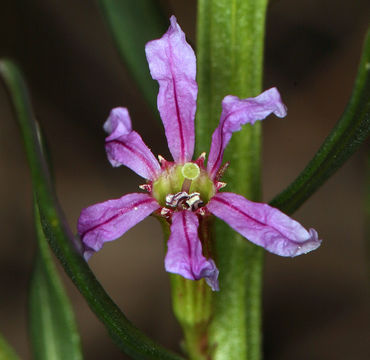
(61, 239)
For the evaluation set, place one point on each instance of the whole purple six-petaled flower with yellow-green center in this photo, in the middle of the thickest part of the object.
(185, 192)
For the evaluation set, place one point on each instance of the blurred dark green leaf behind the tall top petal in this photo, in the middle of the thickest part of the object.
(132, 24)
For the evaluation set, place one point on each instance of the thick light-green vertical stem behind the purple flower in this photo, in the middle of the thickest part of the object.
(230, 56)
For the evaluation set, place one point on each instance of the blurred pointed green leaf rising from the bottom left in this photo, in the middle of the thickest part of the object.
(53, 329)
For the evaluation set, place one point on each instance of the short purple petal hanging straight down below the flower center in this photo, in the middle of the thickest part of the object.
(184, 251)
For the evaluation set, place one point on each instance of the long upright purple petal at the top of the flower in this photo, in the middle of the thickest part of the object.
(172, 62)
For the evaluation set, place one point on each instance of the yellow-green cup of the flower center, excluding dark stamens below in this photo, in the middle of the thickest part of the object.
(171, 182)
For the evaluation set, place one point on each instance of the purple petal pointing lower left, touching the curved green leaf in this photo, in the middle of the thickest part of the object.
(109, 220)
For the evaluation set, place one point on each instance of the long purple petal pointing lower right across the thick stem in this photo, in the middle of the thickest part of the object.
(264, 225)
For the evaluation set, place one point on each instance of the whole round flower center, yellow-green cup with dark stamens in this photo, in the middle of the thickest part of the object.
(183, 186)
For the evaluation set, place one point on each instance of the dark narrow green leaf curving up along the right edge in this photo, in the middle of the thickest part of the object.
(350, 132)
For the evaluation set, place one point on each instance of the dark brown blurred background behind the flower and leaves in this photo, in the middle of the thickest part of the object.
(315, 306)
